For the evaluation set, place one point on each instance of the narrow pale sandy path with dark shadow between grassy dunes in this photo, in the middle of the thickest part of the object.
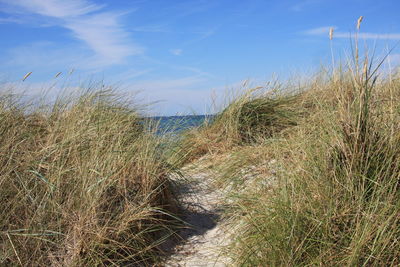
(204, 235)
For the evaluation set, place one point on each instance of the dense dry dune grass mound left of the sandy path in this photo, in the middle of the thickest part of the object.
(82, 182)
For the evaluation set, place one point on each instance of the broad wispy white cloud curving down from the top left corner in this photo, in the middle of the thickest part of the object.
(101, 31)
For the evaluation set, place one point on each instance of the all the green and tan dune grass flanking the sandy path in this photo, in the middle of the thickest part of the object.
(310, 167)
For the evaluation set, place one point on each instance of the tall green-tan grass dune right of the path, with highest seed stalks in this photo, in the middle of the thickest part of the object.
(312, 168)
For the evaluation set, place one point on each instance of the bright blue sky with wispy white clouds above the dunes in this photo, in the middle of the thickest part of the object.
(178, 54)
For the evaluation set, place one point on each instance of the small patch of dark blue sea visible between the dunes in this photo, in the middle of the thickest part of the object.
(177, 124)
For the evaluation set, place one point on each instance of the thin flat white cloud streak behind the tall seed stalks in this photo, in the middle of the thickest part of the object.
(324, 31)
